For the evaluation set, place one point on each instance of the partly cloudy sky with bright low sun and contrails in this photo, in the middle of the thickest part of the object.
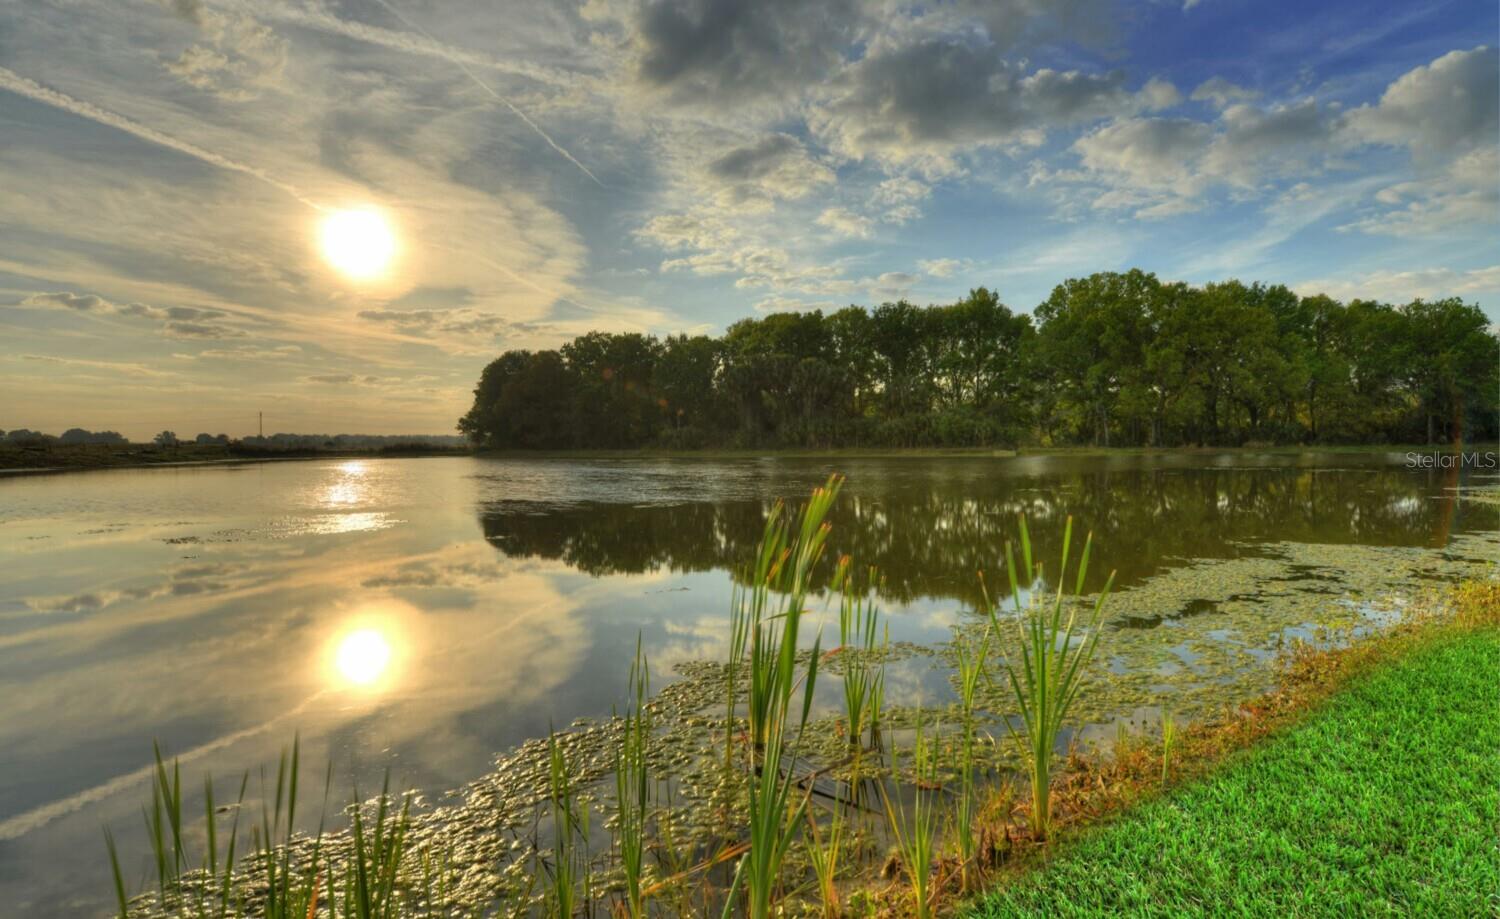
(335, 212)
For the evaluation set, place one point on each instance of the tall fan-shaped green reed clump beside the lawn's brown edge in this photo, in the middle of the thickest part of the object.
(1048, 677)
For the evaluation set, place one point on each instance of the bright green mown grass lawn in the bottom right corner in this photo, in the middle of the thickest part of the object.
(1385, 803)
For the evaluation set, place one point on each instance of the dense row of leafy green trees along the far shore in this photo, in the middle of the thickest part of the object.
(1112, 359)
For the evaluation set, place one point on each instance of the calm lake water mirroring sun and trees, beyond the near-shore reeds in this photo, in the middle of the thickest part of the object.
(425, 615)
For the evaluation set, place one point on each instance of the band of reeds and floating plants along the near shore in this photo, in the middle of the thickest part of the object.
(710, 782)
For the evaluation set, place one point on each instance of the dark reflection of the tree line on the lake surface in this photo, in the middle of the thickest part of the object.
(929, 531)
